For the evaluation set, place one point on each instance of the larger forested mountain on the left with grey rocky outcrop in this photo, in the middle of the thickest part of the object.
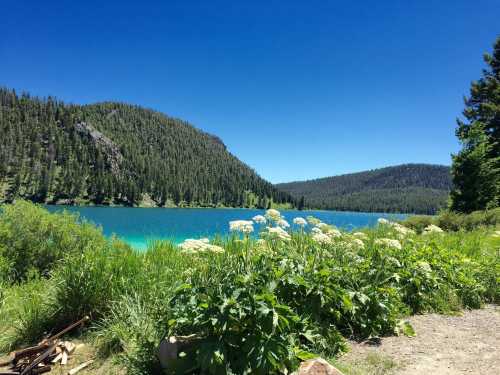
(114, 153)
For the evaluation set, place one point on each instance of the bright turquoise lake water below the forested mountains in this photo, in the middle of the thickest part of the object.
(137, 226)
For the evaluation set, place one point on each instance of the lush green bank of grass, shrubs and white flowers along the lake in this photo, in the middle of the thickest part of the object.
(255, 306)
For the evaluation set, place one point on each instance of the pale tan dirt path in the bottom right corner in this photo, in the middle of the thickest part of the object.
(444, 345)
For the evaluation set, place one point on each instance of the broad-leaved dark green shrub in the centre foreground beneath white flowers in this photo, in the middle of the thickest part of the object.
(241, 324)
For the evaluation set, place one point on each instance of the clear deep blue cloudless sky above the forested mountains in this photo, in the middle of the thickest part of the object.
(296, 89)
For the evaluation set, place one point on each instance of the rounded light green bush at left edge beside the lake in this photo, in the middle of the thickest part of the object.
(32, 239)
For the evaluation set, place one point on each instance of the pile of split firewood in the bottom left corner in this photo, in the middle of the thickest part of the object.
(41, 358)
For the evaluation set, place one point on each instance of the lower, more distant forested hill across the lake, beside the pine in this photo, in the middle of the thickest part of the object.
(415, 188)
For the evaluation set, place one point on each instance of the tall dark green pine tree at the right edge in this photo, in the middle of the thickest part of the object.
(476, 168)
